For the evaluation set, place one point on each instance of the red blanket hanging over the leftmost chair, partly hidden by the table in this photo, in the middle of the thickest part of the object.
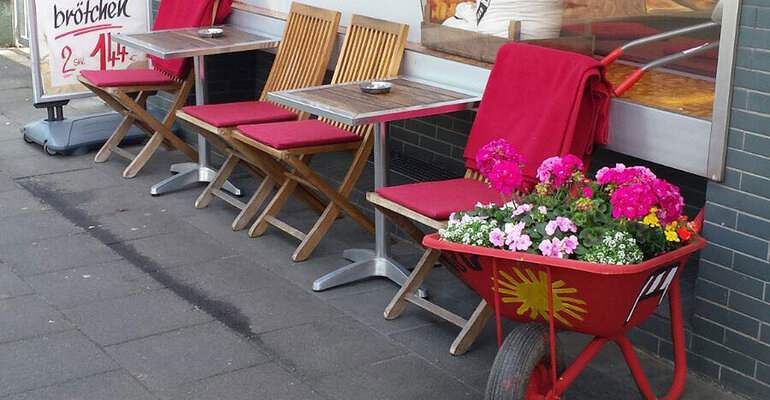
(185, 14)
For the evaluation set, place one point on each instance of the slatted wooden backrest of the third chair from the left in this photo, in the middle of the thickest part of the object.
(372, 49)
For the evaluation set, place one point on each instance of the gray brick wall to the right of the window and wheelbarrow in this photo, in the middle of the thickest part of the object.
(731, 324)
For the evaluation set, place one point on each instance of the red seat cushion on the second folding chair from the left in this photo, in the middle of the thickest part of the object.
(246, 112)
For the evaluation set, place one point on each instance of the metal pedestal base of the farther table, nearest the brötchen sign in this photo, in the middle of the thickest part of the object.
(200, 172)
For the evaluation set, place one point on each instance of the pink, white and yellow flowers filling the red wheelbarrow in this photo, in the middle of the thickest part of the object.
(623, 216)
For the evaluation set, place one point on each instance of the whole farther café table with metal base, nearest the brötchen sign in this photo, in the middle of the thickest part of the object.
(185, 42)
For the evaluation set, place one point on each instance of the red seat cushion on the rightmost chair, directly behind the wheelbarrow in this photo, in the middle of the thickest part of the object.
(438, 199)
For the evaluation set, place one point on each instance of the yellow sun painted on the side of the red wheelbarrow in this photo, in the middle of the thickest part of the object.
(530, 291)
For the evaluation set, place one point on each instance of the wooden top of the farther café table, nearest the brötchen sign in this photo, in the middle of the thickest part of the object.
(178, 43)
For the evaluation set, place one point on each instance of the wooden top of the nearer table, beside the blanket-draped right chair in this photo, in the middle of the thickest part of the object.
(346, 103)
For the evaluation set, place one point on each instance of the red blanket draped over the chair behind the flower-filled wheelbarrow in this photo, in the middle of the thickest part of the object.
(545, 102)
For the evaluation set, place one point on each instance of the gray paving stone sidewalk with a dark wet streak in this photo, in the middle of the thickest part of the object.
(109, 293)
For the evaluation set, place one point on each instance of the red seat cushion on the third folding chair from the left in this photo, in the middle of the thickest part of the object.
(294, 134)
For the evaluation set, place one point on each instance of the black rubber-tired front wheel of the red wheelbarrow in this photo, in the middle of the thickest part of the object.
(522, 368)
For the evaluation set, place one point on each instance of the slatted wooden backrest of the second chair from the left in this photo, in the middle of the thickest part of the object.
(304, 51)
